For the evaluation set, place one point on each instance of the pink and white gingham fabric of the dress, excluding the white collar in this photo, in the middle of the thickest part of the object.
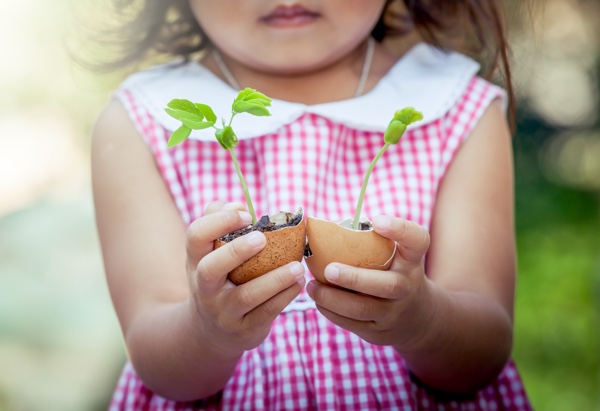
(306, 362)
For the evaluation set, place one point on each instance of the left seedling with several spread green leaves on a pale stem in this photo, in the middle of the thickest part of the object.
(196, 116)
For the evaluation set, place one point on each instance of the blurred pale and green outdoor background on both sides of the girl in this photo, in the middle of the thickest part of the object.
(60, 345)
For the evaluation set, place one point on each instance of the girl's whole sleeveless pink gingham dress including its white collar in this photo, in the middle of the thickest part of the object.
(315, 157)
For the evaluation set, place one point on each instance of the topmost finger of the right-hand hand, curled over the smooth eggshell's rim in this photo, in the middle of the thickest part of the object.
(411, 238)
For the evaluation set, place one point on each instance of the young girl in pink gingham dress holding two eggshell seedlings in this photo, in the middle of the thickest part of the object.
(434, 332)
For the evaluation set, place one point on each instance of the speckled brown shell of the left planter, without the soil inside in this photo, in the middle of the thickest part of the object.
(283, 246)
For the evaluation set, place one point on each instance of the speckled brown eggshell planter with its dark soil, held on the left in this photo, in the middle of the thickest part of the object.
(286, 240)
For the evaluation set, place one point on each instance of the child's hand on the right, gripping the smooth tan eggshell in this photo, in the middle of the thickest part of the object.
(383, 307)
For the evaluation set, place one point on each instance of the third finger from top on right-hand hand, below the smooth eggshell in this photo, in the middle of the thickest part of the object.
(350, 305)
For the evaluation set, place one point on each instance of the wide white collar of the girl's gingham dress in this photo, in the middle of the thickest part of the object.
(426, 78)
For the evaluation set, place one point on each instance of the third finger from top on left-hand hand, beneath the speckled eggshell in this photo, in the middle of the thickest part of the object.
(250, 295)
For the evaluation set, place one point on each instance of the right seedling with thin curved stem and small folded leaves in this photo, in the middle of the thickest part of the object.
(395, 130)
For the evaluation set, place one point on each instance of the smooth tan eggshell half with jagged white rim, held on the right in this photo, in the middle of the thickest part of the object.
(331, 242)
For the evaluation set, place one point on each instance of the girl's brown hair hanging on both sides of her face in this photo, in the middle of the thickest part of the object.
(168, 28)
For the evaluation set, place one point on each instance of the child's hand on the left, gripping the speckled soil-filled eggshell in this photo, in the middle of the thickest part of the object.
(234, 318)
